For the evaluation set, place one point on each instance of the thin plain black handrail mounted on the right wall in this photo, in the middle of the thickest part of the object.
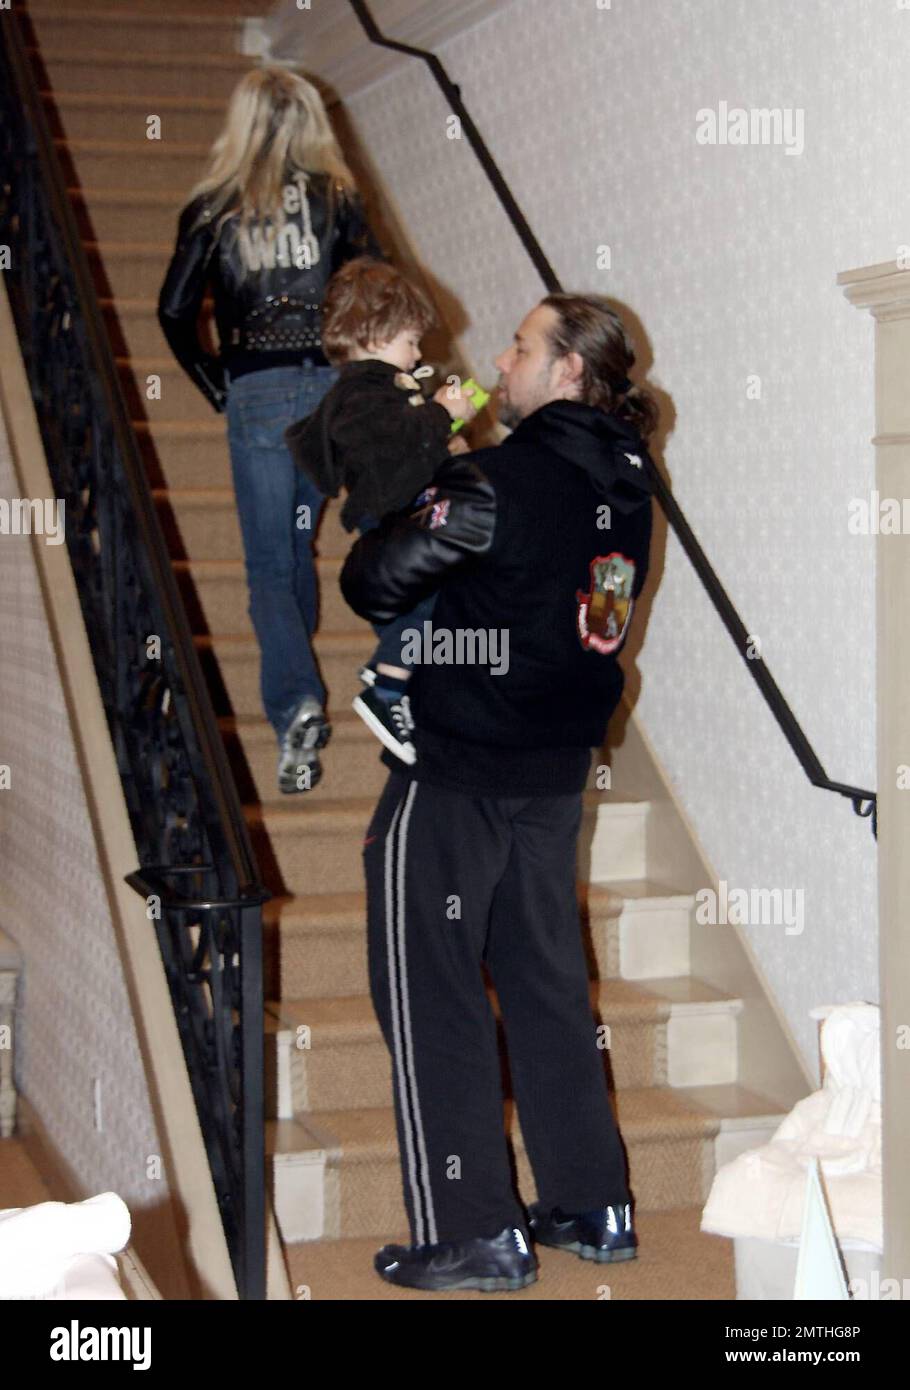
(865, 803)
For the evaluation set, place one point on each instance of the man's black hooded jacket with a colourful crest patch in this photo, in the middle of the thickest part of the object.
(544, 541)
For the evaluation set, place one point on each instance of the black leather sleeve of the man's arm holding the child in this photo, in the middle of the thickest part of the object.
(411, 554)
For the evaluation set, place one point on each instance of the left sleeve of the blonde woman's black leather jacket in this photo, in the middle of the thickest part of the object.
(180, 304)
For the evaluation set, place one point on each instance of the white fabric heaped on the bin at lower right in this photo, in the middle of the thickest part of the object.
(762, 1192)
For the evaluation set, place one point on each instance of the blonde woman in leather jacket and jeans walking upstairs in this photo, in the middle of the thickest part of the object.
(274, 218)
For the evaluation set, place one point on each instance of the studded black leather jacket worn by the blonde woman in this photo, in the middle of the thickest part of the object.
(267, 295)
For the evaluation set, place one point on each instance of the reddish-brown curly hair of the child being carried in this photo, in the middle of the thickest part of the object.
(369, 301)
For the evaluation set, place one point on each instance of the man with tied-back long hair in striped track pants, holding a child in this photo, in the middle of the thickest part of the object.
(540, 550)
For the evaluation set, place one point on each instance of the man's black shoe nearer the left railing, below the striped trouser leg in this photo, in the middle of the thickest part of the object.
(491, 1264)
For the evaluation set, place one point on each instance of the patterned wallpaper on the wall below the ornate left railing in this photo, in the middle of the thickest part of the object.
(74, 1024)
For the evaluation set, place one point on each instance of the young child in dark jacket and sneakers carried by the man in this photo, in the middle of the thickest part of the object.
(379, 437)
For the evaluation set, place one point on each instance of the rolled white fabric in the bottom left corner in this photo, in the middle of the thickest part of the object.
(44, 1249)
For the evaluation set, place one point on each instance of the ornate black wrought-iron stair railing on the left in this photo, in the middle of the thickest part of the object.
(183, 801)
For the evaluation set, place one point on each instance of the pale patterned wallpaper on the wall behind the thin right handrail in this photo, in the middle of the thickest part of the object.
(725, 259)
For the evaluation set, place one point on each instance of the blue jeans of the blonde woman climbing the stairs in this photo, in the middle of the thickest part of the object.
(279, 532)
